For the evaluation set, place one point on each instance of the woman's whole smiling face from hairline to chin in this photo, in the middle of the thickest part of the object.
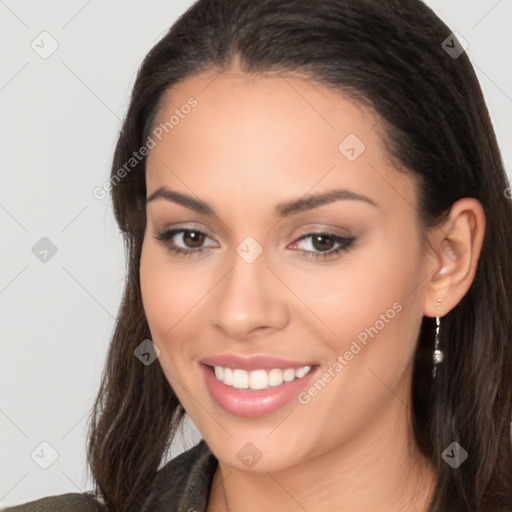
(298, 246)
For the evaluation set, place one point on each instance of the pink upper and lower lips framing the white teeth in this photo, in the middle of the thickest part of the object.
(254, 403)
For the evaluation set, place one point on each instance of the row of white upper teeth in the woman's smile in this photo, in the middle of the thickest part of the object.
(258, 379)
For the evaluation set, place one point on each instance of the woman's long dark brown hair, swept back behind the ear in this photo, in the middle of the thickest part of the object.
(387, 55)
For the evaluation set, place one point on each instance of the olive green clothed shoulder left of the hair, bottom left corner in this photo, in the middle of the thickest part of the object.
(60, 503)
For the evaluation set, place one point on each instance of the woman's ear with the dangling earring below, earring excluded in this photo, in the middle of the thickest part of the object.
(456, 247)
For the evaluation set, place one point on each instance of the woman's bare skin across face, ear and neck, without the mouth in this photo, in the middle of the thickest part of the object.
(251, 143)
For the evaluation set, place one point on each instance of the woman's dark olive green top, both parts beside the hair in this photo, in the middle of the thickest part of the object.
(183, 484)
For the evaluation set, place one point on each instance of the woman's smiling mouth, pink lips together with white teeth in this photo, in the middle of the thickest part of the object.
(255, 392)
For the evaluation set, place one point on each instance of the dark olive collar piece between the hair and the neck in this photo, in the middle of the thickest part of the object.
(184, 482)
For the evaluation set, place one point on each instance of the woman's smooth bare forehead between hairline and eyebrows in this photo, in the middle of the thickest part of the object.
(276, 134)
